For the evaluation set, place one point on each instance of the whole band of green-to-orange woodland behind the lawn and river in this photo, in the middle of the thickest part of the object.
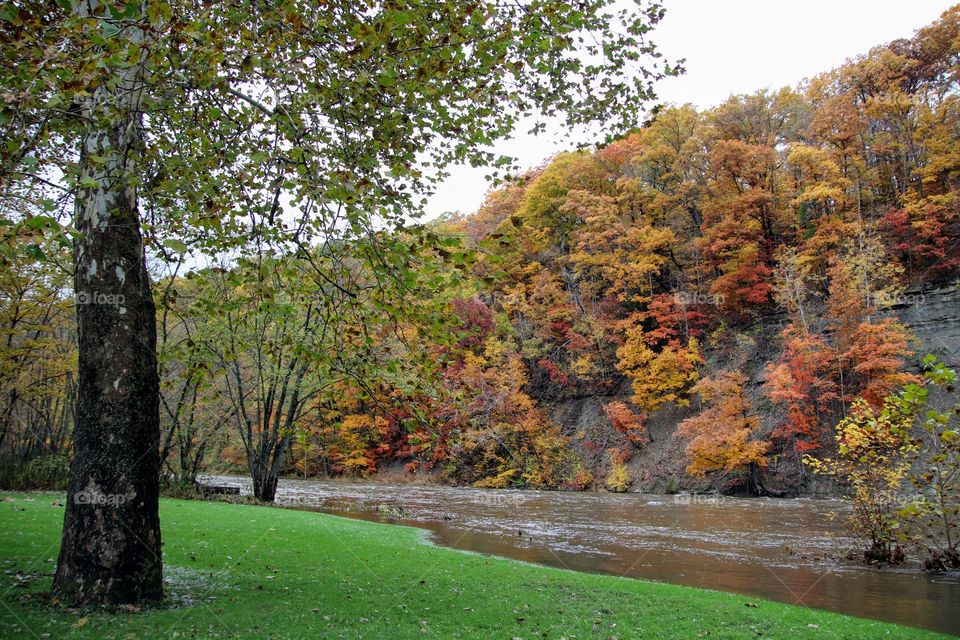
(643, 274)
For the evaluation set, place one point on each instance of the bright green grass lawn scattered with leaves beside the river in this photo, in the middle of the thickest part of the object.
(237, 571)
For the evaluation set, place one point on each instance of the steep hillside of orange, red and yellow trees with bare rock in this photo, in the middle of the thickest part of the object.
(701, 301)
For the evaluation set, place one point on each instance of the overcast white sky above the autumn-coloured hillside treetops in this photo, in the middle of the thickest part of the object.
(731, 47)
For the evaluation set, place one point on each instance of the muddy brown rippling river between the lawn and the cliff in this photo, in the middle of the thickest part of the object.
(777, 549)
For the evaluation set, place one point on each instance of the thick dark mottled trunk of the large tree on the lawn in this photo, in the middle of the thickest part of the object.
(110, 549)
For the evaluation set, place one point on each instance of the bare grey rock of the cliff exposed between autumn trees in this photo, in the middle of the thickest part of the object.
(933, 316)
